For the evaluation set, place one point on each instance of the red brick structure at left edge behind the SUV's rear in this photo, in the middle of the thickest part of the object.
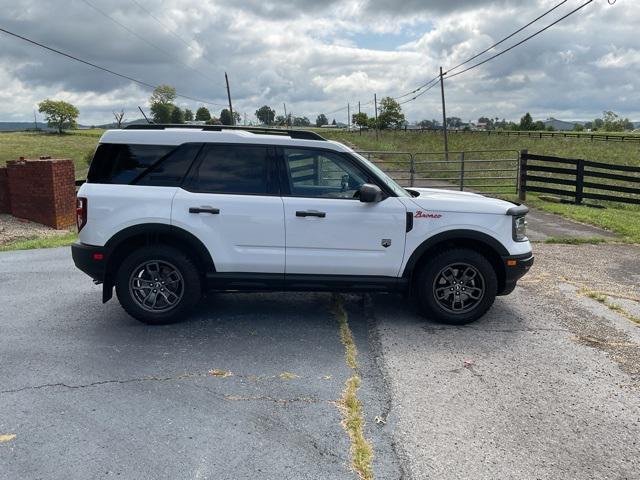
(42, 191)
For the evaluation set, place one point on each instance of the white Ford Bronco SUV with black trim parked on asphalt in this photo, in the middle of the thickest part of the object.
(168, 213)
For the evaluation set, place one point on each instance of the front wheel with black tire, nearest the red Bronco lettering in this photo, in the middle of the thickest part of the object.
(456, 287)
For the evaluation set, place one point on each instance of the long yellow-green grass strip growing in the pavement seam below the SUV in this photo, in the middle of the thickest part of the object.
(349, 405)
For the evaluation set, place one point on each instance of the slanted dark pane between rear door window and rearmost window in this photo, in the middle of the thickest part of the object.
(171, 169)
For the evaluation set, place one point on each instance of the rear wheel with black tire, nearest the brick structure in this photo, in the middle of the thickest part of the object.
(158, 284)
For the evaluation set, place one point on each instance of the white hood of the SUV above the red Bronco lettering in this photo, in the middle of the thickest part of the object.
(463, 202)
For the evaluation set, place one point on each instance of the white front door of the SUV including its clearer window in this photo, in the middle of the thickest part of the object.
(328, 230)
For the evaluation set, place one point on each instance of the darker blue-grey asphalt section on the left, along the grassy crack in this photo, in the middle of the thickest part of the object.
(91, 393)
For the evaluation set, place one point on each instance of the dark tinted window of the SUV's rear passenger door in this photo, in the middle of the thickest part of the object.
(233, 169)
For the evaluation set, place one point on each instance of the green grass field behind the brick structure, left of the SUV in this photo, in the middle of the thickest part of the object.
(75, 144)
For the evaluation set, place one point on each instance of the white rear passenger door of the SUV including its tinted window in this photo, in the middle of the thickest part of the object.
(231, 202)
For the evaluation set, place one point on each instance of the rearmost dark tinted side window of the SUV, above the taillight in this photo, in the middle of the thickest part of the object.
(120, 163)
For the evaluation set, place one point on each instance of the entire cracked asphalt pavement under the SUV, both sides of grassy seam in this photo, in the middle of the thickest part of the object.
(546, 385)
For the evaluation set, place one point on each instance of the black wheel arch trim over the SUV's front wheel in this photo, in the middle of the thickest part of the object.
(488, 246)
